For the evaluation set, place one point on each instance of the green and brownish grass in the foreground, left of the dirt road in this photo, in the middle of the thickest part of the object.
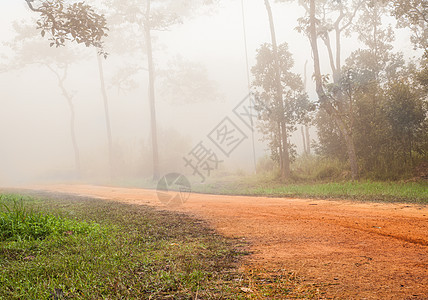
(79, 248)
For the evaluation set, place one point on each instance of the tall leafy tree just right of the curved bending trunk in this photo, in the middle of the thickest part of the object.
(370, 68)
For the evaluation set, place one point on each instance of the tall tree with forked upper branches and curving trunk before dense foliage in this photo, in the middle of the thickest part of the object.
(325, 19)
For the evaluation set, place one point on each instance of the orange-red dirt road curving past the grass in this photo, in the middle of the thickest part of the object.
(359, 250)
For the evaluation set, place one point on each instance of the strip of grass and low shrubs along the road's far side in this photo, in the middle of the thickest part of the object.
(315, 177)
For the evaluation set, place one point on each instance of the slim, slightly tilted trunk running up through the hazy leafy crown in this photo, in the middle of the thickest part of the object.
(285, 168)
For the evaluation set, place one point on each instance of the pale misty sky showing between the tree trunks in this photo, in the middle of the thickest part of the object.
(34, 117)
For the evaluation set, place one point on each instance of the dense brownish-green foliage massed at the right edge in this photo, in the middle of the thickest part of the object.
(386, 112)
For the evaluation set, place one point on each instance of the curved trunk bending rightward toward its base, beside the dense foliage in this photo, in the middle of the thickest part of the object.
(323, 98)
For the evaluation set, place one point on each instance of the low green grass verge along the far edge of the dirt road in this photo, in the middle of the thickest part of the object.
(406, 192)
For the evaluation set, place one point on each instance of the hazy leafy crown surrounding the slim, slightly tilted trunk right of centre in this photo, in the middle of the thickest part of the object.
(282, 105)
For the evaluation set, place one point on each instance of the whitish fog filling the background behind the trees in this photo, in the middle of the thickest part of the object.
(36, 146)
